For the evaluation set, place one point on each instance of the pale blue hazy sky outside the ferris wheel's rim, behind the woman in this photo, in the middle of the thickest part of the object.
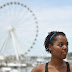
(51, 15)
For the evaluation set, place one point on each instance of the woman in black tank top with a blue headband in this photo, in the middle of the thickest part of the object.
(57, 44)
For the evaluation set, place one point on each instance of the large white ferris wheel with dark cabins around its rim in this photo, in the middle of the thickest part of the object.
(18, 28)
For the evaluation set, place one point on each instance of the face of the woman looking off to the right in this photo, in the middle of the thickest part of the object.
(59, 48)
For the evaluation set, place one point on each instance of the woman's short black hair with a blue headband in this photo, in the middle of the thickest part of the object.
(51, 37)
